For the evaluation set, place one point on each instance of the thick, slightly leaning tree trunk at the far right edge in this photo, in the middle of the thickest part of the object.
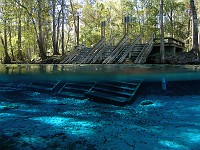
(195, 45)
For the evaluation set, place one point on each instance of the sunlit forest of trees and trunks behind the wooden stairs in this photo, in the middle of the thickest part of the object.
(37, 29)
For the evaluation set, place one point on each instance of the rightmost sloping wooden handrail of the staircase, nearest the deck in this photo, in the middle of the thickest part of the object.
(141, 58)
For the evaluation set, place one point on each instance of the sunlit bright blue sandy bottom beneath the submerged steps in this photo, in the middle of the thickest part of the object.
(31, 120)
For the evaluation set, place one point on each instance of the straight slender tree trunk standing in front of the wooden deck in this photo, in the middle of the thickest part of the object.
(162, 47)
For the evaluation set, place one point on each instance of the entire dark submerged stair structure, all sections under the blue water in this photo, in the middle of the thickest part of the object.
(109, 92)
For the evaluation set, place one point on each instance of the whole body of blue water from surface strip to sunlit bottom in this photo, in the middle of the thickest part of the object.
(99, 107)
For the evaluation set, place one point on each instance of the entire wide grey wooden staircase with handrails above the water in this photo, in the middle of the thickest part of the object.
(103, 53)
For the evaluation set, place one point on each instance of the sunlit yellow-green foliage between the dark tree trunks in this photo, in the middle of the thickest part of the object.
(143, 14)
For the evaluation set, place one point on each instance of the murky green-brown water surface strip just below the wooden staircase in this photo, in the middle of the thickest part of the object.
(99, 72)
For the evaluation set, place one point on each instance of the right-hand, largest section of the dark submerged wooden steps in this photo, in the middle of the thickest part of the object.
(113, 92)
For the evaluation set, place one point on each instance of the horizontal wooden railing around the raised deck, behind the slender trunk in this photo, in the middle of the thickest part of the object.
(169, 40)
